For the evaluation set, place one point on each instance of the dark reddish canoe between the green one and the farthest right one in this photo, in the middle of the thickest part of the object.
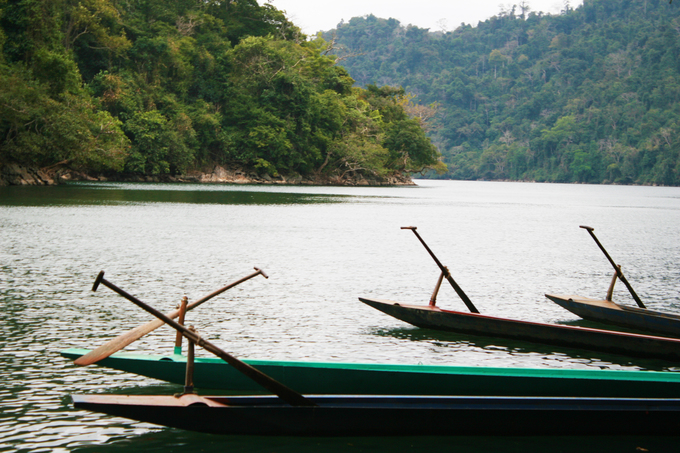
(629, 344)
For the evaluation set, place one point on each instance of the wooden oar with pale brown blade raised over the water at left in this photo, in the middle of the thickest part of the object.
(125, 339)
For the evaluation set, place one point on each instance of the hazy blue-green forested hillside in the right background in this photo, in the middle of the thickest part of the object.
(588, 95)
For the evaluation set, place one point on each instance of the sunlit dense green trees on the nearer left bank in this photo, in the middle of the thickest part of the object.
(154, 87)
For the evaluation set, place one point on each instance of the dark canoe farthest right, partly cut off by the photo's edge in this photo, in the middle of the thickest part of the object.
(608, 312)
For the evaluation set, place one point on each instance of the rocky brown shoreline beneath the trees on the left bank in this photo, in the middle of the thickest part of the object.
(13, 174)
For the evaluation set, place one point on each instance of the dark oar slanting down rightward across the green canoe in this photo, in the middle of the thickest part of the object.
(288, 395)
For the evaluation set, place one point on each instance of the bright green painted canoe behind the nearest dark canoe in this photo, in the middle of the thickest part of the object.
(386, 379)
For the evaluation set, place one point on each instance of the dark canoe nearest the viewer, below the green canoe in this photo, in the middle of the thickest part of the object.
(396, 415)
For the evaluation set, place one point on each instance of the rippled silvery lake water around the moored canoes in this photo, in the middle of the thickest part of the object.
(506, 245)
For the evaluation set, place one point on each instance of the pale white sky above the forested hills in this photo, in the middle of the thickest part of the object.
(322, 15)
